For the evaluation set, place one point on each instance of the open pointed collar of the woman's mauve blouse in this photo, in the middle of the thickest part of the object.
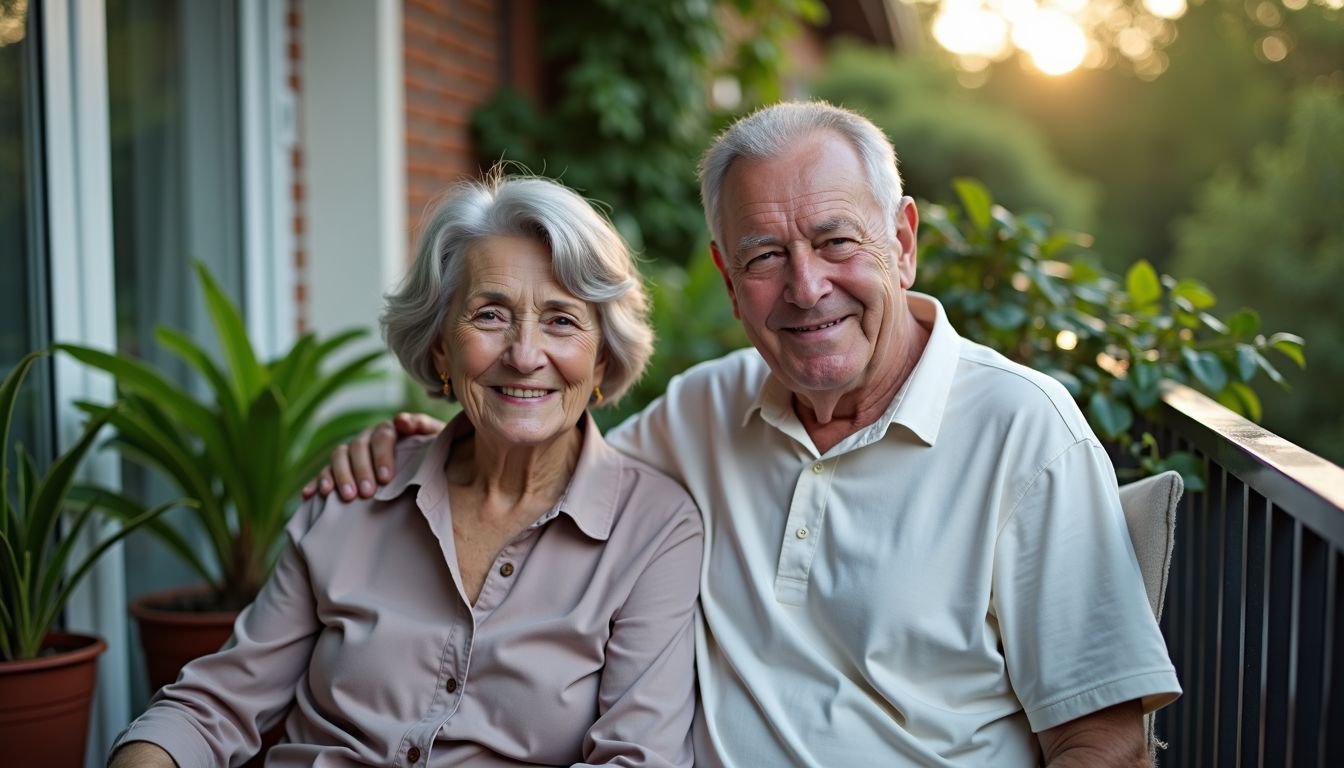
(591, 500)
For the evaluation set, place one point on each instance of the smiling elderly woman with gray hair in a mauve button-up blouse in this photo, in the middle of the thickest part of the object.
(519, 594)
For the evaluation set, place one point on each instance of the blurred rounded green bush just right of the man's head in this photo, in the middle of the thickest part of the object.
(943, 131)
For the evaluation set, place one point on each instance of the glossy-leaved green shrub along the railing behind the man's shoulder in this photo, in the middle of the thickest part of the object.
(1041, 298)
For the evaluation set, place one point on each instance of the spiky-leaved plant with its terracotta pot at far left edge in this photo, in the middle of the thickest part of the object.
(48, 677)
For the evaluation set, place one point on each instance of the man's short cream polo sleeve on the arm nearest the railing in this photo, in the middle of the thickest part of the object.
(1077, 630)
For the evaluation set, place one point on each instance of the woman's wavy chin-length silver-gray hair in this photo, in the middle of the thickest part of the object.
(588, 256)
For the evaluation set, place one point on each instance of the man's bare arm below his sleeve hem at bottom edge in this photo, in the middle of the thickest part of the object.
(1105, 739)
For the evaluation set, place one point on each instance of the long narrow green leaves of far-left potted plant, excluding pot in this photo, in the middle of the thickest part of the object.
(38, 567)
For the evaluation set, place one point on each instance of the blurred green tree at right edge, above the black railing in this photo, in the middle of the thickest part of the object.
(1275, 236)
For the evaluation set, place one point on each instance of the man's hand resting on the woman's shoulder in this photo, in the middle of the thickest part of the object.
(370, 461)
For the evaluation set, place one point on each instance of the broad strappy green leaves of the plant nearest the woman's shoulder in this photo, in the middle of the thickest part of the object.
(244, 455)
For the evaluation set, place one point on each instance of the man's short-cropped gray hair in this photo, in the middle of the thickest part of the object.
(772, 130)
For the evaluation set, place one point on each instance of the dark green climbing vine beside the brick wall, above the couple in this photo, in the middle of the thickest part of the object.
(630, 114)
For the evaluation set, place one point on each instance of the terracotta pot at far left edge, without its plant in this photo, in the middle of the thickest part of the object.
(45, 703)
